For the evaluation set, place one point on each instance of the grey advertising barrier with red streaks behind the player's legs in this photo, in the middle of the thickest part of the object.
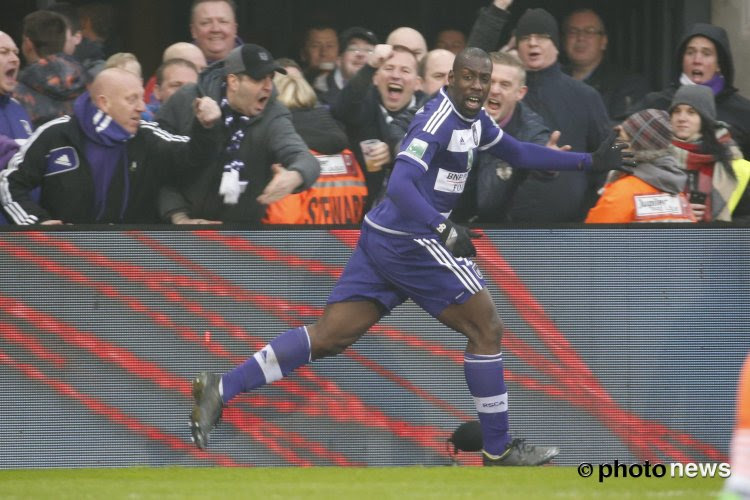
(620, 344)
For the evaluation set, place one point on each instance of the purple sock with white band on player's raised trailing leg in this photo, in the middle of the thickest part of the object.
(282, 356)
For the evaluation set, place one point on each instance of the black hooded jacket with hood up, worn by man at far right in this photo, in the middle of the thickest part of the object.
(731, 107)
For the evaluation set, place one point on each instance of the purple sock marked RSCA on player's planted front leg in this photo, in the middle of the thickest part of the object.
(484, 376)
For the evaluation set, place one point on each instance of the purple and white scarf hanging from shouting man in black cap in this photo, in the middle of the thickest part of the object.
(236, 124)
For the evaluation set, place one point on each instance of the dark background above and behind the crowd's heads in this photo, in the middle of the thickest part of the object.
(643, 33)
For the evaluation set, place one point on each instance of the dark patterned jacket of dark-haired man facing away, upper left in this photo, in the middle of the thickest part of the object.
(48, 88)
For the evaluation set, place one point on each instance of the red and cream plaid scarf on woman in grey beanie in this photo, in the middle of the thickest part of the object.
(714, 178)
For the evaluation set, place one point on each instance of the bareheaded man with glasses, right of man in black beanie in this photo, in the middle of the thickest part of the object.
(585, 45)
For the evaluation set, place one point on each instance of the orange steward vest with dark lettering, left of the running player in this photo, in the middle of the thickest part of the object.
(337, 197)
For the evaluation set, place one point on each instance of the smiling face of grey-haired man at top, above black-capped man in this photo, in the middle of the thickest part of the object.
(213, 26)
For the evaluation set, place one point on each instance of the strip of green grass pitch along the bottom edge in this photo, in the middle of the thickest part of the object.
(524, 483)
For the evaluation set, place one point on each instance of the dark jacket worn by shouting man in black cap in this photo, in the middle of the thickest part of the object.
(269, 138)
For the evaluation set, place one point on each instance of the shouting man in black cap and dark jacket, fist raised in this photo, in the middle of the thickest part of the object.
(256, 133)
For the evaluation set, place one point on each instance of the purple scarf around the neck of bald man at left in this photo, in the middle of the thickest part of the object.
(105, 150)
